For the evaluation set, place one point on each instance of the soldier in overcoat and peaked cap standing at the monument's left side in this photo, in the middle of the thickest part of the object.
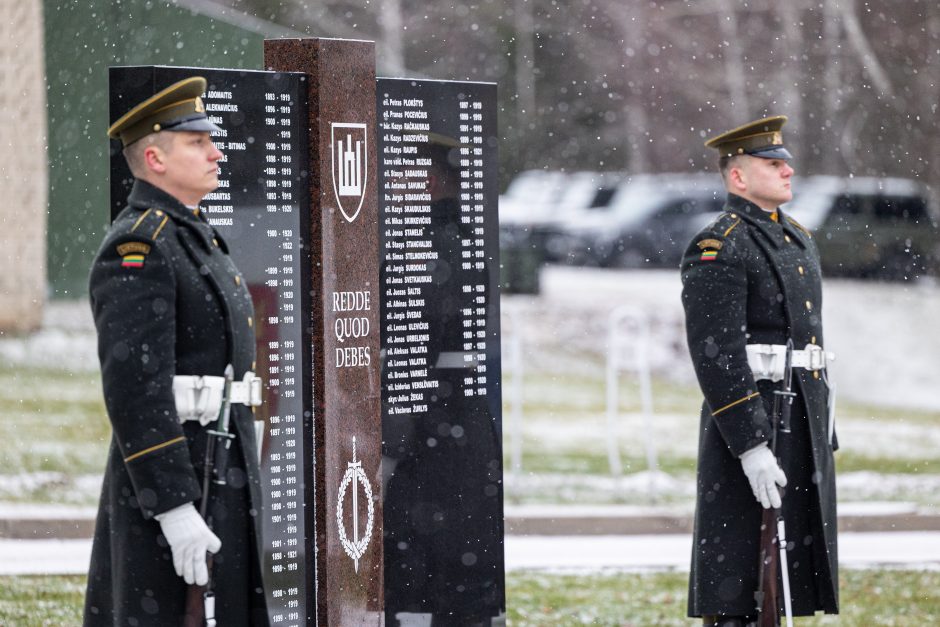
(172, 312)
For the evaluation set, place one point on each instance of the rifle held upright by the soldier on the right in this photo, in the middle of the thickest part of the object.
(773, 528)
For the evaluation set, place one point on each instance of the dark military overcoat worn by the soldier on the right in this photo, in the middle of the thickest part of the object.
(750, 279)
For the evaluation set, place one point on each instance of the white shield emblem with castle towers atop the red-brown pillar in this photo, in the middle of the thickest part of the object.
(349, 151)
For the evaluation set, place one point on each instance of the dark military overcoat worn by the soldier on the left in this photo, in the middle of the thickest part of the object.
(168, 300)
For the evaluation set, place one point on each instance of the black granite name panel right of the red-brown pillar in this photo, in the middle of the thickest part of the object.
(441, 362)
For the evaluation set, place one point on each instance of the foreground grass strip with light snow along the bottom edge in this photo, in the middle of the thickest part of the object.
(536, 599)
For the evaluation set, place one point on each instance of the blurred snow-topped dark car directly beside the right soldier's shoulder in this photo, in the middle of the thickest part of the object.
(647, 223)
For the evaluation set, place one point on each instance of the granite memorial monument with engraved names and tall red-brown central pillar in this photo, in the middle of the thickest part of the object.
(369, 243)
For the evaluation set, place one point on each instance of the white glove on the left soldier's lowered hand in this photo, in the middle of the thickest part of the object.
(189, 538)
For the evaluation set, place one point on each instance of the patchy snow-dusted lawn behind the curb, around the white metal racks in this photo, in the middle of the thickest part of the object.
(57, 432)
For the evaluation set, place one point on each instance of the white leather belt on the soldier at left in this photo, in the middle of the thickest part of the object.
(200, 397)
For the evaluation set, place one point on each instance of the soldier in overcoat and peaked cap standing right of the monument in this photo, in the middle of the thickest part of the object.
(751, 282)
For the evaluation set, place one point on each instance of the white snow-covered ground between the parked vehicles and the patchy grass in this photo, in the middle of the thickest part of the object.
(884, 334)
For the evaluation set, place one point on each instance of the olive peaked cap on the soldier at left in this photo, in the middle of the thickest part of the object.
(177, 108)
